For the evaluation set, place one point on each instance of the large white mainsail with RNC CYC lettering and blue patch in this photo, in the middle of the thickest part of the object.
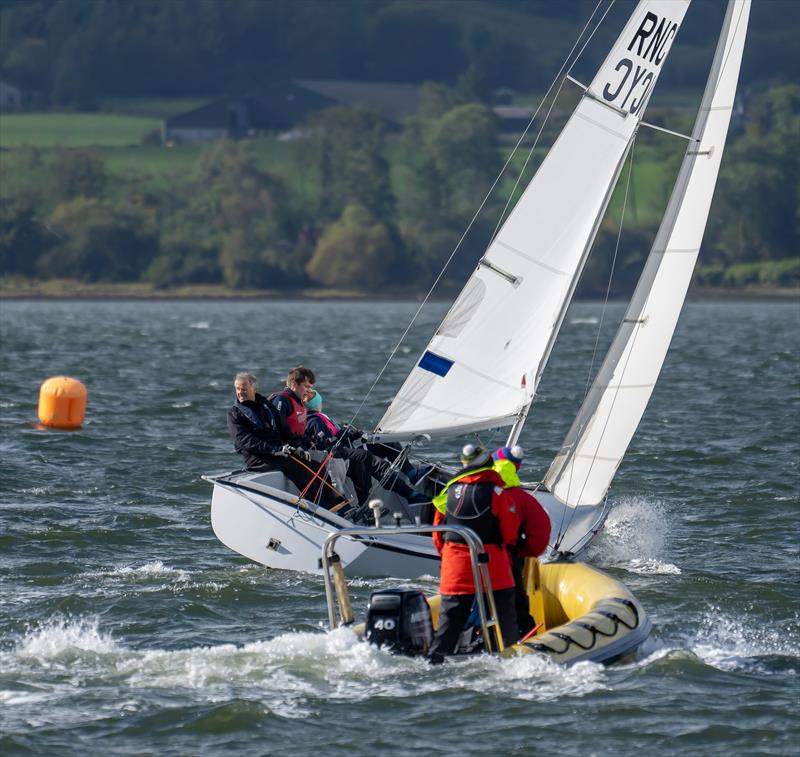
(481, 368)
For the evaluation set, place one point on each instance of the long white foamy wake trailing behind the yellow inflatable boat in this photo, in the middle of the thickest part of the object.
(289, 673)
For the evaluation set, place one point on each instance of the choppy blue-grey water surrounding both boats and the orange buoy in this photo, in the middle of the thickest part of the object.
(126, 628)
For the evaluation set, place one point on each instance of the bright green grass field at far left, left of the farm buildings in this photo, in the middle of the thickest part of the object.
(73, 129)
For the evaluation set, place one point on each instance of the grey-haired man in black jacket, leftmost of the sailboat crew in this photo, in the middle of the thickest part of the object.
(255, 429)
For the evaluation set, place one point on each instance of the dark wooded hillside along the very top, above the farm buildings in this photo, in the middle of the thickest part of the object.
(74, 52)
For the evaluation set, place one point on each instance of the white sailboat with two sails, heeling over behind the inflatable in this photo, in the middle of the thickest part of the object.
(482, 367)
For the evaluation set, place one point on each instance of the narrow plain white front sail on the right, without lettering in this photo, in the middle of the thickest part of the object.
(593, 449)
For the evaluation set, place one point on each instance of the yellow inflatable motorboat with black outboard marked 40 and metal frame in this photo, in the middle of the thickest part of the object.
(582, 614)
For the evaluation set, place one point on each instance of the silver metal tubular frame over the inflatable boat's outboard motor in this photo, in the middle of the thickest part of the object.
(478, 559)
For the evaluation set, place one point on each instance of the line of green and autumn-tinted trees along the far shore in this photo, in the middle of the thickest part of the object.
(372, 224)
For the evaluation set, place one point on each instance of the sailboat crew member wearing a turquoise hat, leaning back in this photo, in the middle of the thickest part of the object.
(324, 433)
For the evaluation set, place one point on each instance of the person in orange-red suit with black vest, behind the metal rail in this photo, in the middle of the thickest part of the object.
(474, 498)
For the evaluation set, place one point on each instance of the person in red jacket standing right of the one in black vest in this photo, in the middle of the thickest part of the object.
(534, 529)
